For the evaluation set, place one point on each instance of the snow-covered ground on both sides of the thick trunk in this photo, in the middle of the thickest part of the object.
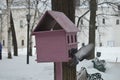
(17, 69)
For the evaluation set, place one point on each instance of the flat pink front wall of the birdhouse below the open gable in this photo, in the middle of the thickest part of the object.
(51, 46)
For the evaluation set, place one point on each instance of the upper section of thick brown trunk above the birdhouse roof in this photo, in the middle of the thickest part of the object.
(65, 6)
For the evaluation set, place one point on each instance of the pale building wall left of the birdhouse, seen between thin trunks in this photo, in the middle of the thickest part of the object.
(20, 24)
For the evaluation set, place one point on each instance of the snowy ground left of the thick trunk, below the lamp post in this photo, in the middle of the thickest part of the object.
(17, 69)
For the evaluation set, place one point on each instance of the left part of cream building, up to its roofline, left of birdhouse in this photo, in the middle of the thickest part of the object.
(20, 23)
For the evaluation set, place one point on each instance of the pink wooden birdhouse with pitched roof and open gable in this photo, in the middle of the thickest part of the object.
(55, 36)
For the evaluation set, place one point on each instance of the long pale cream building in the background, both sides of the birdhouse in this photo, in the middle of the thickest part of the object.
(107, 22)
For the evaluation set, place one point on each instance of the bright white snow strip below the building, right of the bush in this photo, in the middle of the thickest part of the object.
(111, 54)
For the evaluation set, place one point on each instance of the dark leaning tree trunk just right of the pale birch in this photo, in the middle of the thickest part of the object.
(14, 40)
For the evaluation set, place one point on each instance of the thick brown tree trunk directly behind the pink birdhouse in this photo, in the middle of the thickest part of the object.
(67, 7)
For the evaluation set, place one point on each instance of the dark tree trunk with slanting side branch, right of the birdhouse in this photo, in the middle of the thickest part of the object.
(92, 23)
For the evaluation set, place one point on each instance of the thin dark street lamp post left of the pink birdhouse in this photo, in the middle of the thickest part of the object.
(28, 17)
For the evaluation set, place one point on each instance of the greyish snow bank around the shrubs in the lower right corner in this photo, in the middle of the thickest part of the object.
(112, 70)
